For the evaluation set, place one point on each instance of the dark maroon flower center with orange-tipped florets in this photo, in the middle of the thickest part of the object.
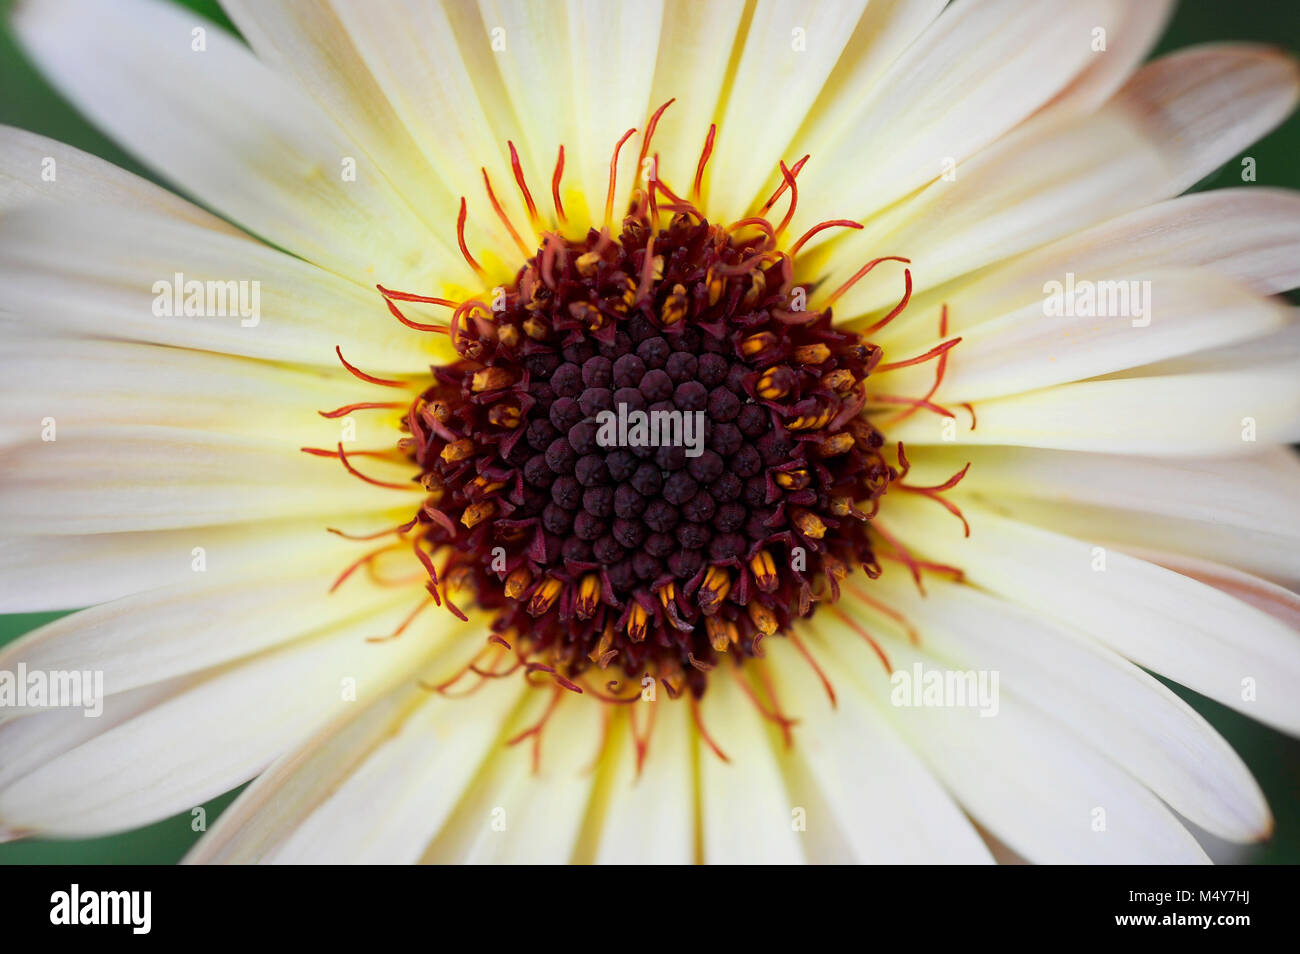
(651, 453)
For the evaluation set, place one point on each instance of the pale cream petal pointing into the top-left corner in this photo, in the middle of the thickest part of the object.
(227, 129)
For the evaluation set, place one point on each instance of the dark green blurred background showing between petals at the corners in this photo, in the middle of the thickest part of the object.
(31, 103)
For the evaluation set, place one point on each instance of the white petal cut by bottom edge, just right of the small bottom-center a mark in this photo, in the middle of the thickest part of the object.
(883, 805)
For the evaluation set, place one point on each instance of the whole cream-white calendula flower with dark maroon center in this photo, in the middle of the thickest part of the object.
(656, 431)
